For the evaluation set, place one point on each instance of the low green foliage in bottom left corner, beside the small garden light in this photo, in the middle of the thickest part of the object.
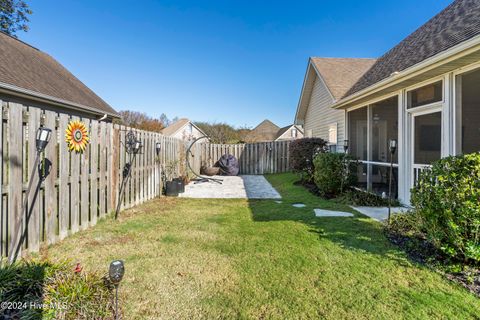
(54, 291)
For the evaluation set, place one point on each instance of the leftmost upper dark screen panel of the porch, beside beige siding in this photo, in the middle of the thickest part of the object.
(357, 133)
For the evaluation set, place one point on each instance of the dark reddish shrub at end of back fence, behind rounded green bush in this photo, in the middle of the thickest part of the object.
(302, 152)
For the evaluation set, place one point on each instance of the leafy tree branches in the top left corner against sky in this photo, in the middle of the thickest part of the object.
(14, 16)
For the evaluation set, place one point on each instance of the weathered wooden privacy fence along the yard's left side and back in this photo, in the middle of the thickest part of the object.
(81, 188)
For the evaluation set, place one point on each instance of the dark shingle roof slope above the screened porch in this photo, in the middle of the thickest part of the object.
(455, 24)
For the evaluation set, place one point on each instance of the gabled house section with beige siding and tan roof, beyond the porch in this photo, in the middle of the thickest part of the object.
(326, 81)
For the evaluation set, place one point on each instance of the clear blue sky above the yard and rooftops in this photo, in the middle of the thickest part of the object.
(222, 61)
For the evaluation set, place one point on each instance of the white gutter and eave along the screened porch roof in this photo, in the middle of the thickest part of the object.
(410, 71)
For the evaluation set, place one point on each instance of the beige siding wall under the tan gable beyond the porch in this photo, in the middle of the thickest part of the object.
(320, 115)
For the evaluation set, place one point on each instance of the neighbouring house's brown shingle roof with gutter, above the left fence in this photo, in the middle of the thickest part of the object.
(33, 78)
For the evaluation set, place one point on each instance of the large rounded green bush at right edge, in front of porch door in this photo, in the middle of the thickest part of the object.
(447, 200)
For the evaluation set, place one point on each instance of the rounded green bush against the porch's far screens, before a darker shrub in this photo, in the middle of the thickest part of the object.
(334, 173)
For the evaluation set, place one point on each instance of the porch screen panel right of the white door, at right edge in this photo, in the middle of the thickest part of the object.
(470, 109)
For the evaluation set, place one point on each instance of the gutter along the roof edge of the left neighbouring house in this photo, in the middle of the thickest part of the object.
(33, 95)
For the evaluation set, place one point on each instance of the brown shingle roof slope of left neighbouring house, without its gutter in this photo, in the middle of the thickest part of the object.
(25, 67)
